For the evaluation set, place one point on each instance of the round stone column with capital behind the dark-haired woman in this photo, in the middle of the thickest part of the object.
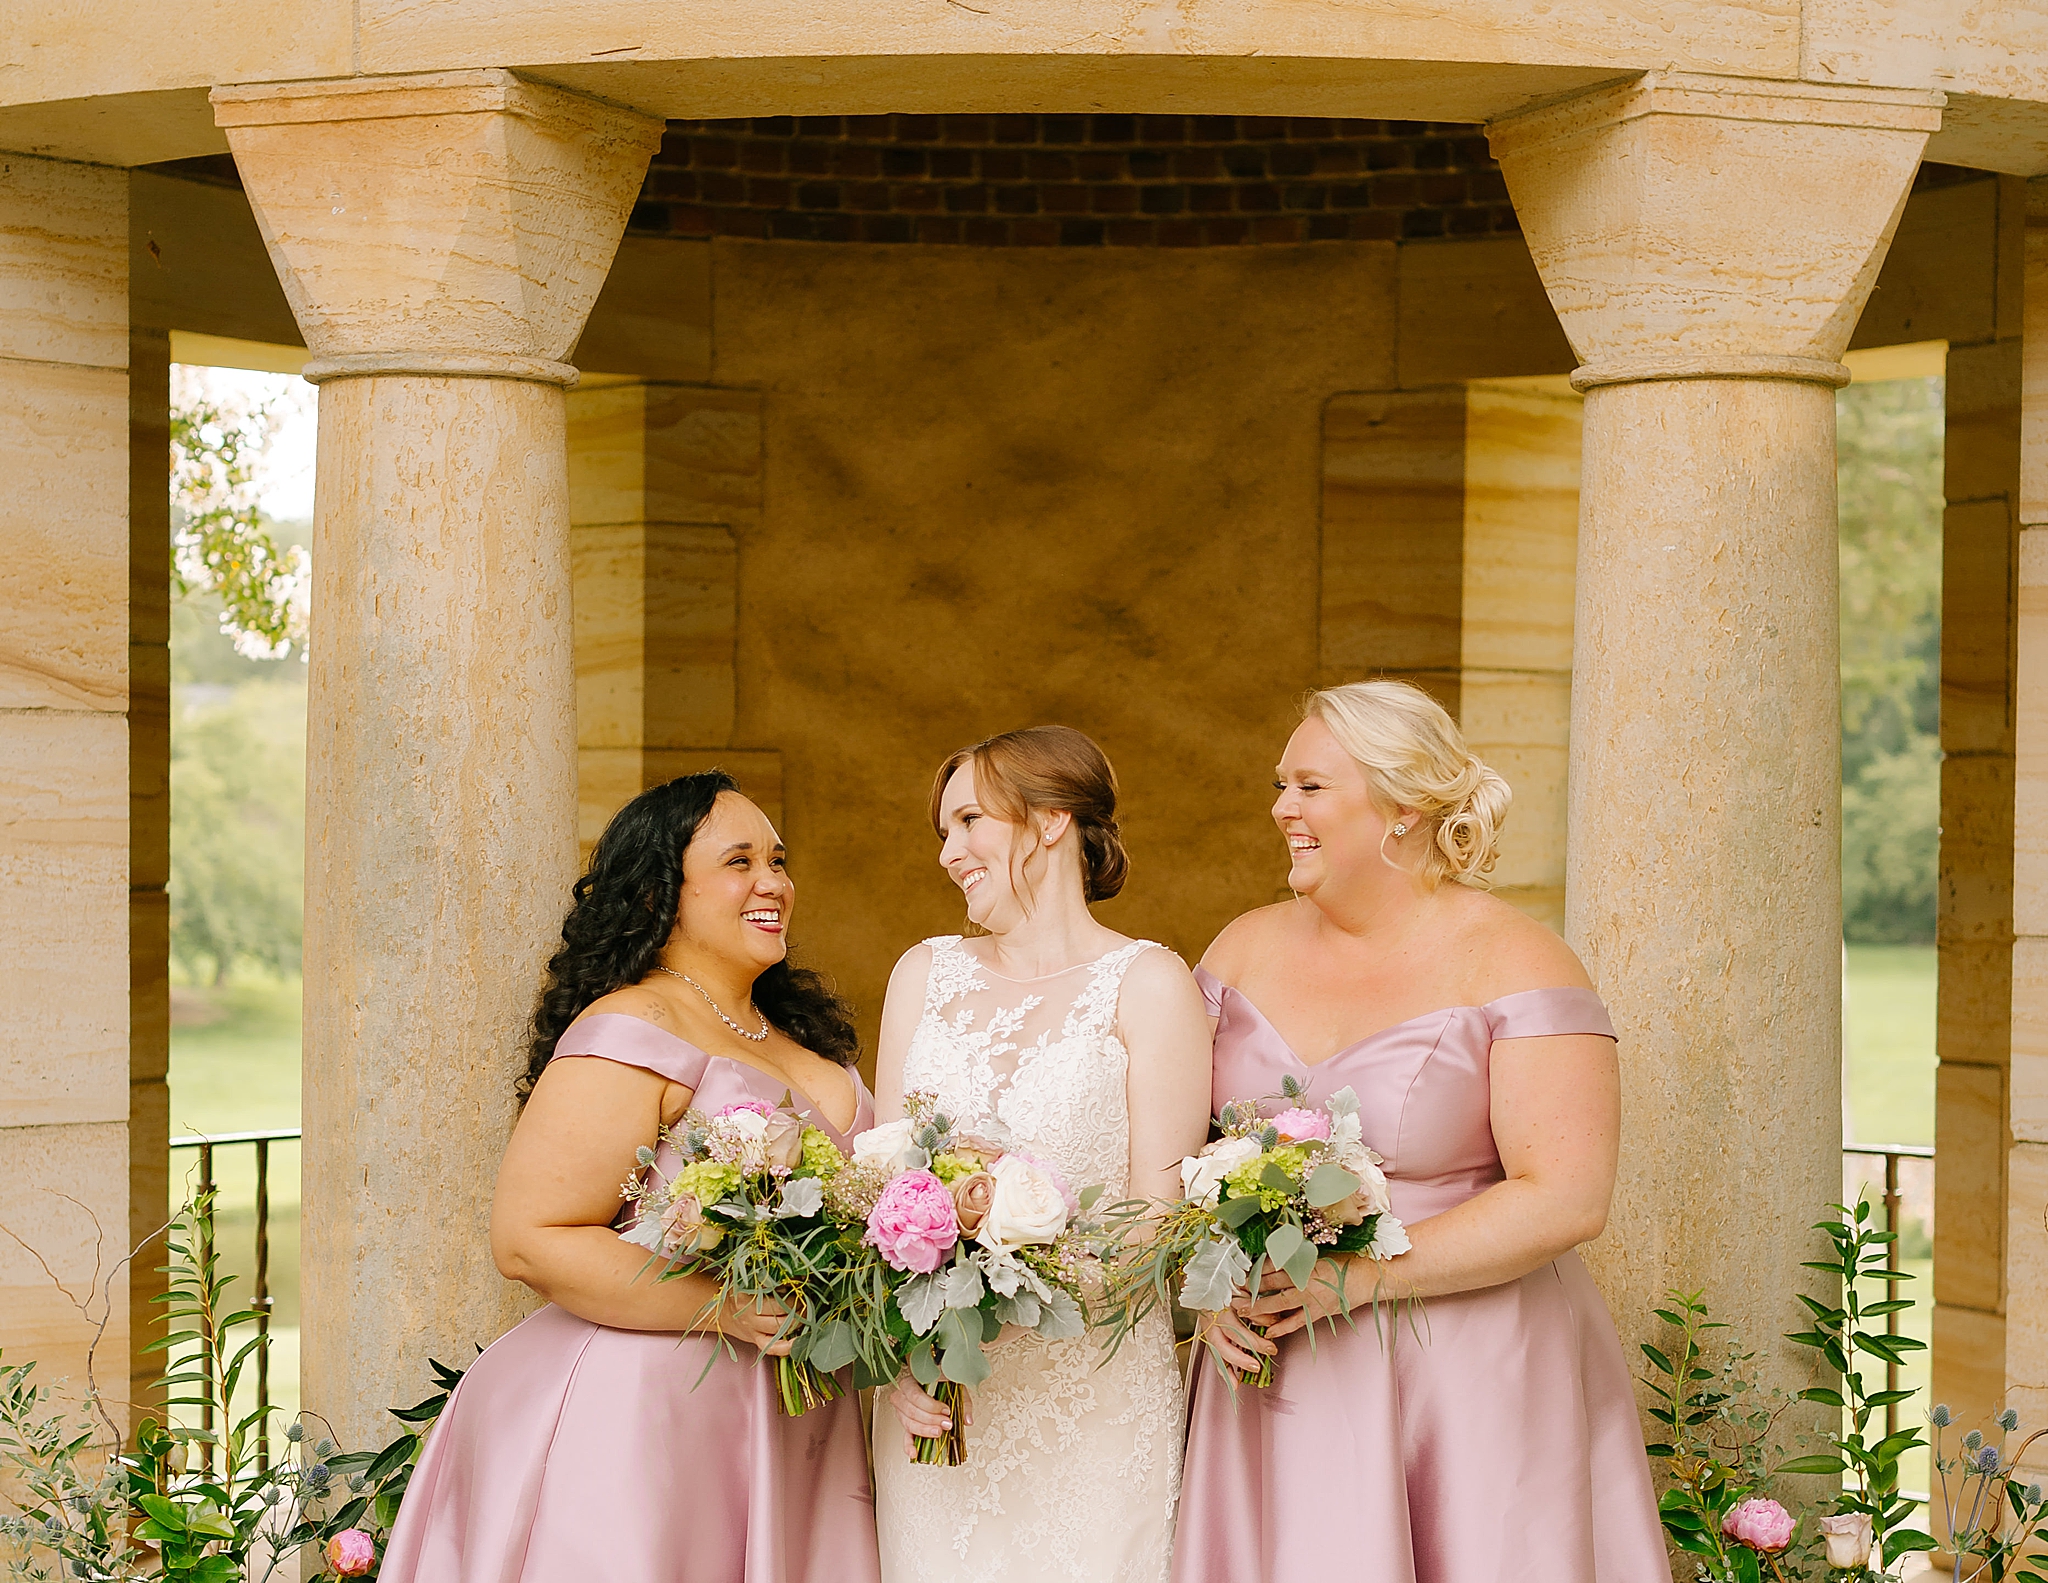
(441, 241)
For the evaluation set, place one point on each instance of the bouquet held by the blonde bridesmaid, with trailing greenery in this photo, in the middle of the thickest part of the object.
(1269, 1193)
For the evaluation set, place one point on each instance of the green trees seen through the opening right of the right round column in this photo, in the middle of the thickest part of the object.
(1889, 466)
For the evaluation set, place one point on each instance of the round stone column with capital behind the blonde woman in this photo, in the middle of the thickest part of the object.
(1705, 886)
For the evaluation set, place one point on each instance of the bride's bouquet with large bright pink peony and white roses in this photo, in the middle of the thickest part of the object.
(953, 1238)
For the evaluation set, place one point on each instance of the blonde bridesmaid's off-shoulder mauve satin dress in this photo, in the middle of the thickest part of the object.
(1488, 1439)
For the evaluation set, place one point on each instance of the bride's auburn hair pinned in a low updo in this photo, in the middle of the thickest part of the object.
(1048, 769)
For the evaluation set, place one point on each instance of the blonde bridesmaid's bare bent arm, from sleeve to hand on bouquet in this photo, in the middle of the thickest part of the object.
(1558, 1123)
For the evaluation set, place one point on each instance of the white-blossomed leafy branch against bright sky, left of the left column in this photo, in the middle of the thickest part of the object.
(220, 542)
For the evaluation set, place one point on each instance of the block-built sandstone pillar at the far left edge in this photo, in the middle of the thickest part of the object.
(65, 773)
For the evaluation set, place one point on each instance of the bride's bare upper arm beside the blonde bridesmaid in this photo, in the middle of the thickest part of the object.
(1168, 1033)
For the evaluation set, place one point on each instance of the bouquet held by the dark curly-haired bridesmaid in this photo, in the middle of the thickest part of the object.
(749, 1209)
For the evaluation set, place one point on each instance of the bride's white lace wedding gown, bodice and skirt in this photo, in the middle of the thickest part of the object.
(1072, 1465)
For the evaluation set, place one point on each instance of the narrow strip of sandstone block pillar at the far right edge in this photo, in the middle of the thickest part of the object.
(2026, 1174)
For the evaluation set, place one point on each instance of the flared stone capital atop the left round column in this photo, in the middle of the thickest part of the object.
(441, 224)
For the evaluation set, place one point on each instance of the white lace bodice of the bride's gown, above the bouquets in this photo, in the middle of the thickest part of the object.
(1035, 1064)
